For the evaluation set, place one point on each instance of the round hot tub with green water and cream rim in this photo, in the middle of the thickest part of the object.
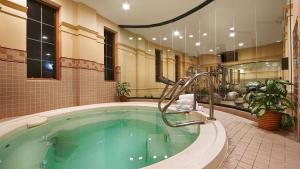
(109, 136)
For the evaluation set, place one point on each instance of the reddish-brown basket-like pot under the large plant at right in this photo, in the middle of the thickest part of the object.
(269, 121)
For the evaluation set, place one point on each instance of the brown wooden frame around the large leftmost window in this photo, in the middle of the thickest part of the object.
(56, 40)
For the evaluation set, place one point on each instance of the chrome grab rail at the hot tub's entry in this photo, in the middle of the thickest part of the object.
(188, 81)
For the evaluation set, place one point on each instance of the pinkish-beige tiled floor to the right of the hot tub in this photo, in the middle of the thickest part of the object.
(254, 148)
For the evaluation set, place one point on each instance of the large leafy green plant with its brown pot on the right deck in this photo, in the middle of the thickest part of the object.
(269, 103)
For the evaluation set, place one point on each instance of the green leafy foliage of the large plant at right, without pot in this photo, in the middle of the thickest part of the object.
(271, 96)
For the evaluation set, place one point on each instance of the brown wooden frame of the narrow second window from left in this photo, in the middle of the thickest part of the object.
(113, 54)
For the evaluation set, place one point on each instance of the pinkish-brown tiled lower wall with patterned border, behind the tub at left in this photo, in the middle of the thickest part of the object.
(80, 84)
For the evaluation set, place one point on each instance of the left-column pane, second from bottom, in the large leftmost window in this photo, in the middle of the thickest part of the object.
(33, 49)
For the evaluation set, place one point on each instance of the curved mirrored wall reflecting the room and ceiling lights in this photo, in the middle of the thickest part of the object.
(247, 39)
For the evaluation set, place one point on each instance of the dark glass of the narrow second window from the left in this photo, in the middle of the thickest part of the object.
(109, 55)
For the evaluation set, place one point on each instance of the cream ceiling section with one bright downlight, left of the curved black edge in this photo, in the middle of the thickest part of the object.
(142, 11)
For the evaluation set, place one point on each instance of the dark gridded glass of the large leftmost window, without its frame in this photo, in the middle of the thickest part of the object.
(41, 40)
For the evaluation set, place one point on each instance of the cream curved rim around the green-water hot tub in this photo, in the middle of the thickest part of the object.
(207, 151)
